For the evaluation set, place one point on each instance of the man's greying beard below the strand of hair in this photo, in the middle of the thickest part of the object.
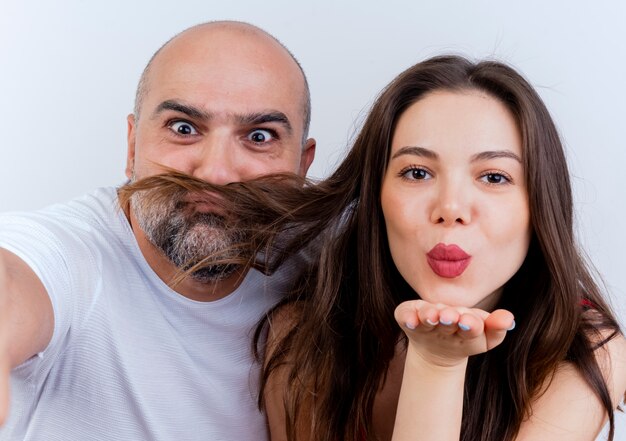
(186, 237)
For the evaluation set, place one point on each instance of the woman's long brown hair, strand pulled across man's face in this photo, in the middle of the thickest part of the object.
(337, 353)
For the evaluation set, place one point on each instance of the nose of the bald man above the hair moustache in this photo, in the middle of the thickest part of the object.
(216, 161)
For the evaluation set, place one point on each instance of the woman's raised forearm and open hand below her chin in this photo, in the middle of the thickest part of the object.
(441, 338)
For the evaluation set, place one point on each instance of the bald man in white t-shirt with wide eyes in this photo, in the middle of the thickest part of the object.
(94, 341)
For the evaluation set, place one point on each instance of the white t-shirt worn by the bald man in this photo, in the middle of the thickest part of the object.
(130, 359)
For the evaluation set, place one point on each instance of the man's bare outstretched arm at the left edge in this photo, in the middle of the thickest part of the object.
(26, 319)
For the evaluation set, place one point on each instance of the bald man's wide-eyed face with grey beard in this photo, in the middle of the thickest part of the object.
(223, 107)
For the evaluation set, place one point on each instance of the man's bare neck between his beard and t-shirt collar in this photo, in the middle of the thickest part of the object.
(168, 272)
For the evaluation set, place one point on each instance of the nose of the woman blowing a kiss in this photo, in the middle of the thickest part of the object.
(452, 204)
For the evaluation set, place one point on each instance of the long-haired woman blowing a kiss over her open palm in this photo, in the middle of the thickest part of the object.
(453, 210)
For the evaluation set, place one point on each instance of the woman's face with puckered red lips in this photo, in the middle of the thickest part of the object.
(454, 198)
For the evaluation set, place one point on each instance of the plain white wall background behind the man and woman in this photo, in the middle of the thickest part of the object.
(68, 72)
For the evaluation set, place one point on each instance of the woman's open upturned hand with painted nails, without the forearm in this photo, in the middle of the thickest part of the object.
(446, 335)
